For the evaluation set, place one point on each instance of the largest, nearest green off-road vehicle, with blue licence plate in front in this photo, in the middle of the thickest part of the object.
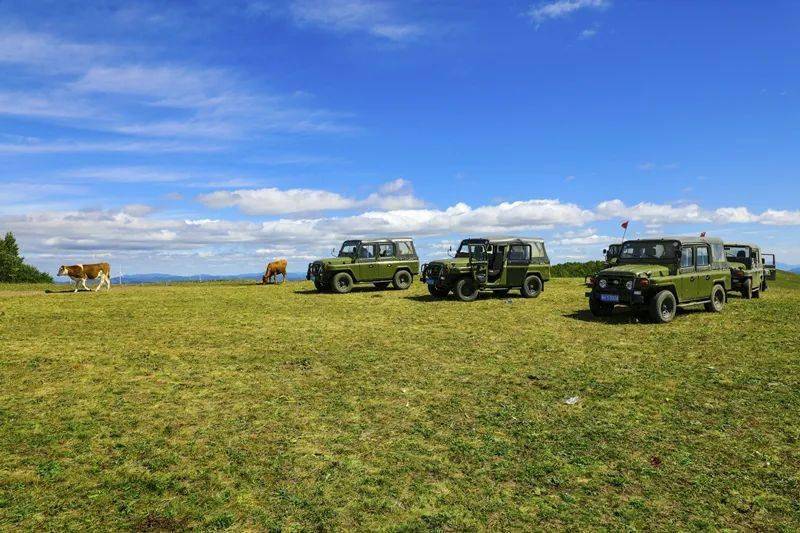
(660, 275)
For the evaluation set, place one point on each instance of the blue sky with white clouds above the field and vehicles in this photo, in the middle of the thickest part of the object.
(214, 136)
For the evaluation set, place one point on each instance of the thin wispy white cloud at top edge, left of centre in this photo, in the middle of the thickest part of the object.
(346, 16)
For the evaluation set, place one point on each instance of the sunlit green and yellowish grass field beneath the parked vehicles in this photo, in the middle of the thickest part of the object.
(273, 407)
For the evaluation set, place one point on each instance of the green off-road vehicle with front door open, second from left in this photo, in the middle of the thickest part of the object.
(496, 265)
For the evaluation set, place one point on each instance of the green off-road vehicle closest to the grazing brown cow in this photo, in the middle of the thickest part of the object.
(376, 261)
